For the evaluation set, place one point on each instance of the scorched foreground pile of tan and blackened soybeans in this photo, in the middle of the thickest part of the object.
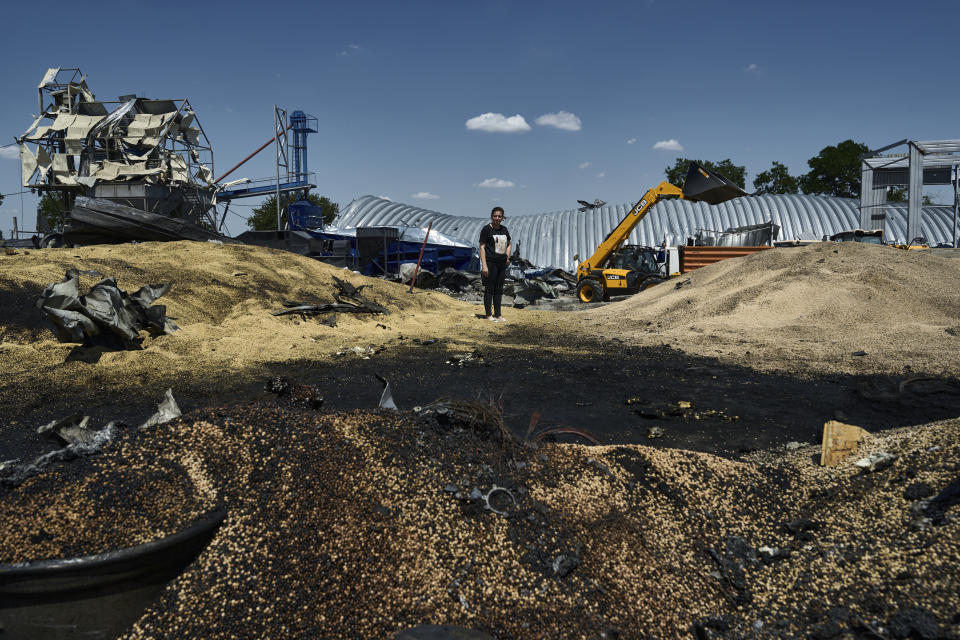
(365, 523)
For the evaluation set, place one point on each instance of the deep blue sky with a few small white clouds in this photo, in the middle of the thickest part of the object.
(395, 84)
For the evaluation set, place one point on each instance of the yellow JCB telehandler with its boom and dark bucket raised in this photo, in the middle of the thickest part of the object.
(618, 269)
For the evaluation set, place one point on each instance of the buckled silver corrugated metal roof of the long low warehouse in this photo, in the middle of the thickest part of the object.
(552, 239)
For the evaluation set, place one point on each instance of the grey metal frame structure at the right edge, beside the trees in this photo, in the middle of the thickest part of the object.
(934, 162)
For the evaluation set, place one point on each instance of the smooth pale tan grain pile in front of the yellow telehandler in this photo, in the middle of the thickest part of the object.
(804, 308)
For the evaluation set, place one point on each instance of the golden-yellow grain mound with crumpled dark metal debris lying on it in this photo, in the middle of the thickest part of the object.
(221, 297)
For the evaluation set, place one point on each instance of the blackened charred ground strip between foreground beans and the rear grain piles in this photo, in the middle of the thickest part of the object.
(613, 391)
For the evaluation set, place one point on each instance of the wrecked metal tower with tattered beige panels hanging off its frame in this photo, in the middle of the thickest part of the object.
(151, 155)
